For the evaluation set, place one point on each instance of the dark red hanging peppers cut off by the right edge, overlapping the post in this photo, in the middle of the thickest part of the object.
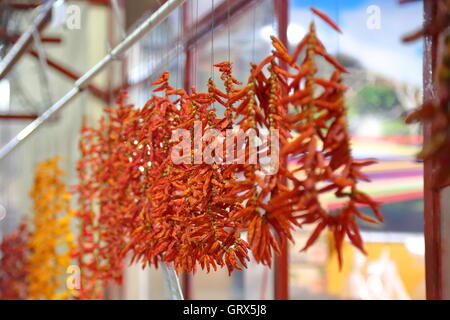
(436, 113)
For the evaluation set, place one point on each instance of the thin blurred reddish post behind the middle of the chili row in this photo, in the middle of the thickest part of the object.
(187, 84)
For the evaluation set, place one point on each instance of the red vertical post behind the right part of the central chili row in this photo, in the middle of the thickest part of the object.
(281, 276)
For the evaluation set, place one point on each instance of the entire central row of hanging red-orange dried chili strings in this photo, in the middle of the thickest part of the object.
(158, 195)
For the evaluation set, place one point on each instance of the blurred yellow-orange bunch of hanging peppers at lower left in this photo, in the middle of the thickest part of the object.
(51, 241)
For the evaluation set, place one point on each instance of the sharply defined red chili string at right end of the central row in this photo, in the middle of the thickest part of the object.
(322, 149)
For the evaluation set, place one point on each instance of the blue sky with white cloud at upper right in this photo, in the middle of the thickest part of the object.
(379, 50)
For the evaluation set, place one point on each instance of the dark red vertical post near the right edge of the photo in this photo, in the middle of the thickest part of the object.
(432, 210)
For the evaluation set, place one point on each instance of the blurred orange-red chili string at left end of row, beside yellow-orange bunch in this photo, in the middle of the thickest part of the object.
(107, 196)
